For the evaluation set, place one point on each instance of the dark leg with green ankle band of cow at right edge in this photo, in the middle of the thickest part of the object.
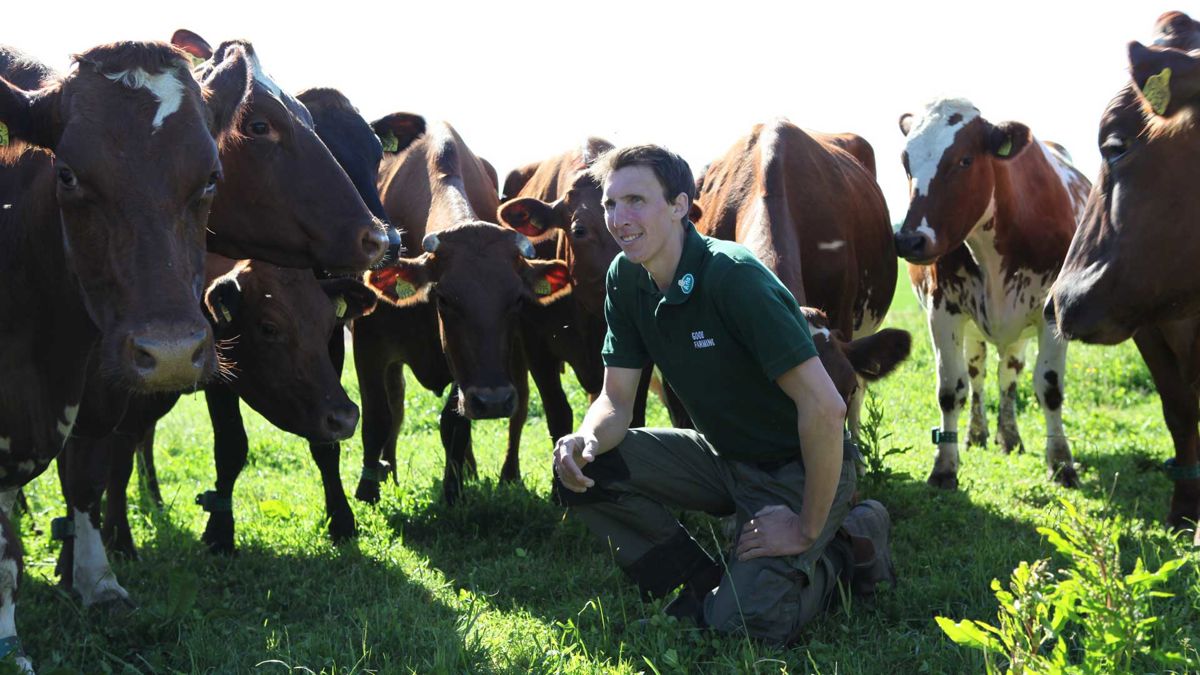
(1181, 411)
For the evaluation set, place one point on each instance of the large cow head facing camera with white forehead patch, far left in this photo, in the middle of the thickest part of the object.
(134, 174)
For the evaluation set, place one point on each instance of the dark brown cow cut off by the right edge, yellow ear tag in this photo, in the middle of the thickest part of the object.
(1131, 267)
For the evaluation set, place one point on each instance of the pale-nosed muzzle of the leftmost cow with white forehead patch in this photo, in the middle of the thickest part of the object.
(159, 357)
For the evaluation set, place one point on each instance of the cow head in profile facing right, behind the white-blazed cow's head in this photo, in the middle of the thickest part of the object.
(285, 199)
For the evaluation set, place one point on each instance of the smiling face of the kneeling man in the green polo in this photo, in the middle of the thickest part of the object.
(638, 216)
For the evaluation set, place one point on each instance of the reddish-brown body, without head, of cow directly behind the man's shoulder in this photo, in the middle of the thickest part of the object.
(814, 216)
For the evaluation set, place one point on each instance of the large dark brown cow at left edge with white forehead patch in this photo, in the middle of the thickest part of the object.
(107, 189)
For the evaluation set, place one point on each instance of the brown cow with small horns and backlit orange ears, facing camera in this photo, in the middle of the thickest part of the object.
(454, 310)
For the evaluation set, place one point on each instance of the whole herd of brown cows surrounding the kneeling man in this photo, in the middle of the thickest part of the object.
(173, 219)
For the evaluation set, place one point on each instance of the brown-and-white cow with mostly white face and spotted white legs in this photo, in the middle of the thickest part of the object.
(992, 214)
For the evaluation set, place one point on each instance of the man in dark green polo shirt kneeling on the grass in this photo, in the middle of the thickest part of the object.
(771, 445)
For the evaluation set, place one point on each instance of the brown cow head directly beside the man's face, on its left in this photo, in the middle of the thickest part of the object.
(580, 216)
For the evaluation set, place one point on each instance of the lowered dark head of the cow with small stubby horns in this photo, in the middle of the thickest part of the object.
(481, 277)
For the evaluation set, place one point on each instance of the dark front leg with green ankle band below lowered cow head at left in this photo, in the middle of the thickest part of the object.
(230, 451)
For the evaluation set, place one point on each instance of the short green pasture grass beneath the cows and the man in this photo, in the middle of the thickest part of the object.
(503, 583)
